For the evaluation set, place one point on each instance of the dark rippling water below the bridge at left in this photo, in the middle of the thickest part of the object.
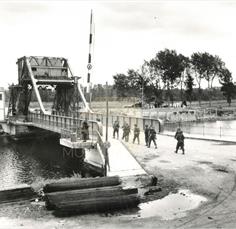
(26, 162)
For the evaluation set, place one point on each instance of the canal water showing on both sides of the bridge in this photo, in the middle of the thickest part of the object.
(43, 158)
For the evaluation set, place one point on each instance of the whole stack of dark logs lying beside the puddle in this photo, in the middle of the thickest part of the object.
(103, 194)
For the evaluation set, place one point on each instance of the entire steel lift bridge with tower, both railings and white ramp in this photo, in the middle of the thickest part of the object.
(70, 108)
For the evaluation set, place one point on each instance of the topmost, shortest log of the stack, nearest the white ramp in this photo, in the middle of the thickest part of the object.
(82, 184)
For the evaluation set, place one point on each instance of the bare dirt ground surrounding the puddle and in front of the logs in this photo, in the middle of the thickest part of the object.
(207, 169)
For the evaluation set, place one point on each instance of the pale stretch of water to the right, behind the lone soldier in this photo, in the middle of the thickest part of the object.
(214, 128)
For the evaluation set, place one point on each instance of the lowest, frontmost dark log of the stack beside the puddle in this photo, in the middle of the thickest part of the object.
(93, 205)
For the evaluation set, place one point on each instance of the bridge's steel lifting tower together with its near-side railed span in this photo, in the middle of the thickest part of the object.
(37, 75)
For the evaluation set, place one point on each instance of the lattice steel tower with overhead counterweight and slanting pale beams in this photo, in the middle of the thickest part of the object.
(36, 73)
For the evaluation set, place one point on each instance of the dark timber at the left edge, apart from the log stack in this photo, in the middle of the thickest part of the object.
(18, 193)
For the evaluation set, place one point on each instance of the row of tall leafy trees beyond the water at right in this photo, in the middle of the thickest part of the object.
(158, 78)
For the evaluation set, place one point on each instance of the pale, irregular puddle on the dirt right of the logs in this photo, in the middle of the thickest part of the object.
(172, 206)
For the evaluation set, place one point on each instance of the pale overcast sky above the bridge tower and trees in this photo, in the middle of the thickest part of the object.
(126, 33)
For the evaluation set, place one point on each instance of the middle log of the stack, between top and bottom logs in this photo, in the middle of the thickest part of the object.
(52, 199)
